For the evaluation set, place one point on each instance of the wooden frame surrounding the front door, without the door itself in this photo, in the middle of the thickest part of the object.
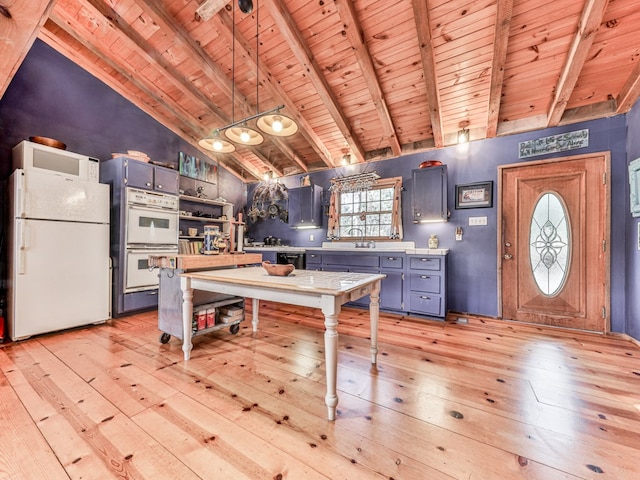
(607, 225)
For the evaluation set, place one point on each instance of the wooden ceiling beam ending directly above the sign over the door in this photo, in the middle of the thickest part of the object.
(587, 28)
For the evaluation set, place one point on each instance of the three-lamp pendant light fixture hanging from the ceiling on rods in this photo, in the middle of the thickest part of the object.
(271, 122)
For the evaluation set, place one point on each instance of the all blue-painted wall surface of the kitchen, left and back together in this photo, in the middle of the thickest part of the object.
(51, 96)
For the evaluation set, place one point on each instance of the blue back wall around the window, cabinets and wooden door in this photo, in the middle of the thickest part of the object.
(472, 263)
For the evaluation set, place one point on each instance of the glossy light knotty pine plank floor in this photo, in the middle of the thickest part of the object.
(484, 400)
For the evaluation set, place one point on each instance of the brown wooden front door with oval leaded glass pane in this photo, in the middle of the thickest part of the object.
(553, 242)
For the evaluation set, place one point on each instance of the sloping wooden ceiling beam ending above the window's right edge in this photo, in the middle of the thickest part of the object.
(356, 37)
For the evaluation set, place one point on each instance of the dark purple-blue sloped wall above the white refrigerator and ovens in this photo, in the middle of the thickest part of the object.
(50, 96)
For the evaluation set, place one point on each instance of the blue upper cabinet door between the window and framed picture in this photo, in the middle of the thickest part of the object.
(429, 194)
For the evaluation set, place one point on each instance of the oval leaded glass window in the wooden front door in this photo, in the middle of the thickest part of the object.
(549, 244)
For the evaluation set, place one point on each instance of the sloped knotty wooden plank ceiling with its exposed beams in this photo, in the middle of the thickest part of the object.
(369, 79)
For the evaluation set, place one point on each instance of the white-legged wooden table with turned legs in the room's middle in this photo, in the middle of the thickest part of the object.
(325, 290)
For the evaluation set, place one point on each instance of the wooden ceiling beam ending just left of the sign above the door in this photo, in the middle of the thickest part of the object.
(504, 10)
